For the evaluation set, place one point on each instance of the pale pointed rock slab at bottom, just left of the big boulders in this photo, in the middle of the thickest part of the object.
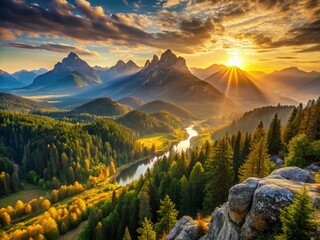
(221, 227)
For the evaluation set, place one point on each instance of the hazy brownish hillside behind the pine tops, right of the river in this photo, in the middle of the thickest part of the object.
(250, 120)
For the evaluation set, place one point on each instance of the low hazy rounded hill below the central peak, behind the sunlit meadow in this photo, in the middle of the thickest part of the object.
(158, 105)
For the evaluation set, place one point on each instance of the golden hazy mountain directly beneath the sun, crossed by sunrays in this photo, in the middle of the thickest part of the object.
(242, 88)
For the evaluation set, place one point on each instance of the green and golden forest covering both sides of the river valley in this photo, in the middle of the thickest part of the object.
(180, 184)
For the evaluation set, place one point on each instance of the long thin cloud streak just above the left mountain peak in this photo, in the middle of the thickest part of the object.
(53, 47)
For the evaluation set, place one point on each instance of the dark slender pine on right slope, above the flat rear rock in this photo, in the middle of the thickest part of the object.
(274, 136)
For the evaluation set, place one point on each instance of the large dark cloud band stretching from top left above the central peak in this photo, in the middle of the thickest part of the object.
(96, 26)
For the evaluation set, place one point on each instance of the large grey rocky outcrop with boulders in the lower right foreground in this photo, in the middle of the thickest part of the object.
(254, 205)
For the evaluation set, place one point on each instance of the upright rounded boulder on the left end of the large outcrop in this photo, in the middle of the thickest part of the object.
(240, 199)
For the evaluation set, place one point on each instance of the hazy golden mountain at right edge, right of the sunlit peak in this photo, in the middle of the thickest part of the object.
(290, 81)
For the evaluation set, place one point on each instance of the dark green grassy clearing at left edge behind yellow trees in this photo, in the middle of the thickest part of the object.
(27, 194)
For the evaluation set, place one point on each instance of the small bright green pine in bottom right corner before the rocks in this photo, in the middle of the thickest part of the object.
(296, 219)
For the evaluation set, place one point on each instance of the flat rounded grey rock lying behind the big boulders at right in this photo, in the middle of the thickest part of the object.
(293, 174)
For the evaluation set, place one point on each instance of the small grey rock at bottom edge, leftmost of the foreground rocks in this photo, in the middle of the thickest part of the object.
(185, 229)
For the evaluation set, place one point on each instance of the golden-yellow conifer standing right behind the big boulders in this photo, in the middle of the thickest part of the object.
(258, 163)
